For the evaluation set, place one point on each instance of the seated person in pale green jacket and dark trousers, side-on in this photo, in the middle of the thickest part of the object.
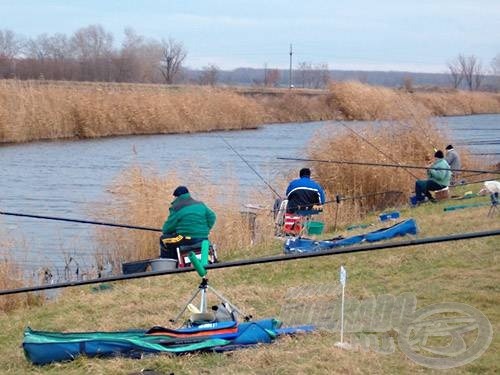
(439, 176)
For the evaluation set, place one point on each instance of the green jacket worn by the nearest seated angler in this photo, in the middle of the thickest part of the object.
(189, 218)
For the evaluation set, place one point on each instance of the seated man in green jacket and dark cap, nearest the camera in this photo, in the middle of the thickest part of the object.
(188, 223)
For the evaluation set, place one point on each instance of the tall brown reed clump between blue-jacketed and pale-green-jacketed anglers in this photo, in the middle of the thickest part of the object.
(407, 142)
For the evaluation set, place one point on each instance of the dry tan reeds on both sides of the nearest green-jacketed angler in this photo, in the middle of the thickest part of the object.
(141, 197)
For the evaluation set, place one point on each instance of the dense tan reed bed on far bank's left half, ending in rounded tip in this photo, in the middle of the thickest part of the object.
(30, 111)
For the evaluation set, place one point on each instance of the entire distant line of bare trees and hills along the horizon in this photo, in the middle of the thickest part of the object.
(90, 54)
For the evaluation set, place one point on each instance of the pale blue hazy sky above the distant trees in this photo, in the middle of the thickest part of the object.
(401, 35)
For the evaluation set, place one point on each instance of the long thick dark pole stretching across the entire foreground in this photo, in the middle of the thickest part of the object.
(262, 260)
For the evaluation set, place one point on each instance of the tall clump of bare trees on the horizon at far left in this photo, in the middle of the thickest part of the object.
(89, 54)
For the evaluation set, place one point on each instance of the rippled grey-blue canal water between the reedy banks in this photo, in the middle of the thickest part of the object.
(65, 178)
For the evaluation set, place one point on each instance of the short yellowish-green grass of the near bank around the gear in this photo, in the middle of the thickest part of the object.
(466, 272)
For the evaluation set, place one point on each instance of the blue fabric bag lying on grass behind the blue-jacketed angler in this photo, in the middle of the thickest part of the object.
(305, 245)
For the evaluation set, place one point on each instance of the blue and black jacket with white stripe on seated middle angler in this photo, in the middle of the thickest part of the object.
(303, 193)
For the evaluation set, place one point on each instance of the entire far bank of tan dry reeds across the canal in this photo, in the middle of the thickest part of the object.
(40, 110)
